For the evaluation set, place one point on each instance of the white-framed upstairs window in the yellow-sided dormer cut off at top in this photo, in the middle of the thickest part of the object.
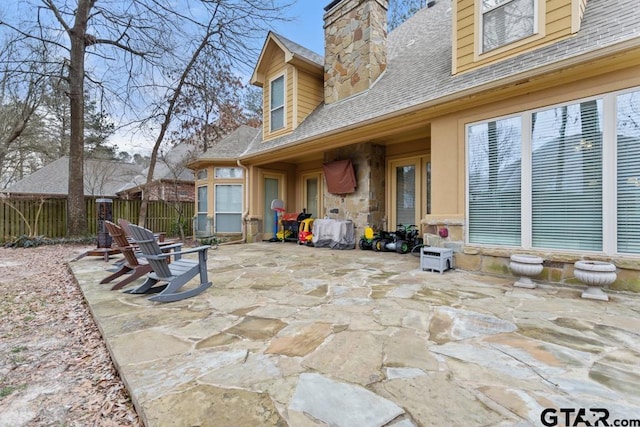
(506, 21)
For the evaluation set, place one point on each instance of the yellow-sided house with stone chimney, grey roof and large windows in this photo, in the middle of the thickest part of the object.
(499, 126)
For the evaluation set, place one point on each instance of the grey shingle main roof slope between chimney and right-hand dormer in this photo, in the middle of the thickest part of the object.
(419, 67)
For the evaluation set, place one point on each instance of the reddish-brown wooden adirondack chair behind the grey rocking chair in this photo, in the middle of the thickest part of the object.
(132, 265)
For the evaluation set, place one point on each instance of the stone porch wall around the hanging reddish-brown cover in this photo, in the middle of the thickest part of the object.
(366, 206)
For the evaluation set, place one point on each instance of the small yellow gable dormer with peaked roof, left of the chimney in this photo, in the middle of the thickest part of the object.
(292, 79)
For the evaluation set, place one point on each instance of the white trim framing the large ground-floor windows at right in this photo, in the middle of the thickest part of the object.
(609, 177)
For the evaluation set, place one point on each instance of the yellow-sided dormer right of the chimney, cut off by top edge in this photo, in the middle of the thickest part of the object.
(487, 31)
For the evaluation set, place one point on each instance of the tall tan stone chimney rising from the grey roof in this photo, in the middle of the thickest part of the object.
(355, 39)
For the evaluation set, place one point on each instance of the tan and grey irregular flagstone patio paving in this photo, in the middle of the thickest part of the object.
(292, 335)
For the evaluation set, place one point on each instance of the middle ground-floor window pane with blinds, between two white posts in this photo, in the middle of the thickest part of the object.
(566, 178)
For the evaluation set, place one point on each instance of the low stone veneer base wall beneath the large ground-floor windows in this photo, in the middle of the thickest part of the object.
(558, 267)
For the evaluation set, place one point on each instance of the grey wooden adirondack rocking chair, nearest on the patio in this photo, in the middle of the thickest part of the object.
(176, 274)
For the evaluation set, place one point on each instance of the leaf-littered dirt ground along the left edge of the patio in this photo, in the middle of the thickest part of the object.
(54, 367)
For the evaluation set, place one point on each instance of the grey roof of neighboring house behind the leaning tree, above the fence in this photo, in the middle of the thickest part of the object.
(169, 167)
